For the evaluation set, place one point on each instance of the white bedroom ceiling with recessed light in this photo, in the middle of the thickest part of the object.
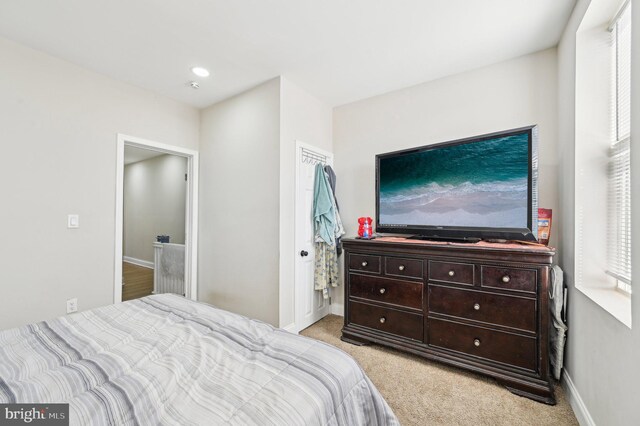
(340, 51)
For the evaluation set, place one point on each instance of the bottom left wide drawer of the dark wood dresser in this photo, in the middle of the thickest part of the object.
(388, 320)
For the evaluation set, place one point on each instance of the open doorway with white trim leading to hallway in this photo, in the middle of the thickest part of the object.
(150, 166)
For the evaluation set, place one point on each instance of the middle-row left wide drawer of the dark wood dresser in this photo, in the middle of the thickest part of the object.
(387, 290)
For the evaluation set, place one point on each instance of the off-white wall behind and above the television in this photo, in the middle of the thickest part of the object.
(503, 96)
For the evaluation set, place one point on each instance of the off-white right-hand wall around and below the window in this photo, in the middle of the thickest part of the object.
(601, 353)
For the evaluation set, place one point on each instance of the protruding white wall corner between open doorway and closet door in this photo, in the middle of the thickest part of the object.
(247, 217)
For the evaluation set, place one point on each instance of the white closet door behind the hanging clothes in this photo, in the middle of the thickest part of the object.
(310, 306)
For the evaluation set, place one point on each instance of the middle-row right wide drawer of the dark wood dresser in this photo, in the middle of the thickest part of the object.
(508, 311)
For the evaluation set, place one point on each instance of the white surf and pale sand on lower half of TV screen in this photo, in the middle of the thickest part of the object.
(488, 204)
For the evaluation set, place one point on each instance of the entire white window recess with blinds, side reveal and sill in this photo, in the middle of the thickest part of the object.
(602, 157)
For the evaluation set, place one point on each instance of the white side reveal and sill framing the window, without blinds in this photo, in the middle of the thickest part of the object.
(594, 133)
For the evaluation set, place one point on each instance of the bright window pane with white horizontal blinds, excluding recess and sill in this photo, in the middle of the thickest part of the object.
(619, 215)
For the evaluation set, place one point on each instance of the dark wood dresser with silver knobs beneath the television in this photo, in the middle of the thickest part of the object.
(483, 307)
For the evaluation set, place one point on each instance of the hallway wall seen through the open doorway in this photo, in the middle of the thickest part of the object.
(155, 194)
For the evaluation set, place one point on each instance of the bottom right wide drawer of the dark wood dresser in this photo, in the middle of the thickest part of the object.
(507, 348)
